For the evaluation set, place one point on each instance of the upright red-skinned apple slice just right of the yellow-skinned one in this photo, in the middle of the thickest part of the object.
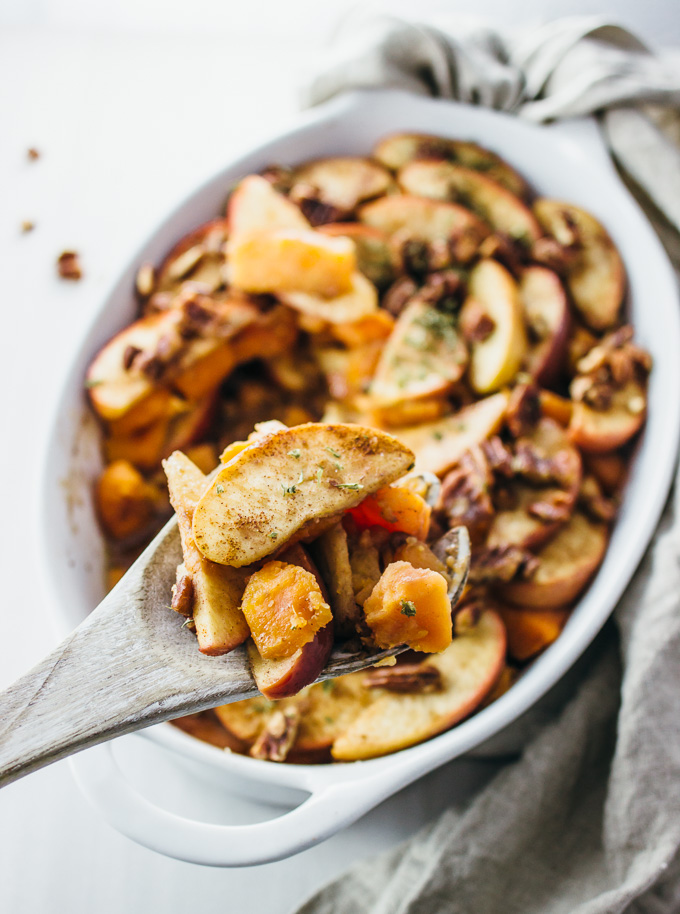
(546, 313)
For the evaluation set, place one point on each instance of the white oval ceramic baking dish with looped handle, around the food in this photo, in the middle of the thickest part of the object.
(566, 161)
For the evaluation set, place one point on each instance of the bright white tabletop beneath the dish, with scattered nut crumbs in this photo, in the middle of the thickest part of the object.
(131, 105)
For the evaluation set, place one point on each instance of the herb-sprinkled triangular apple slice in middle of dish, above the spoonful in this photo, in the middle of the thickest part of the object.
(424, 357)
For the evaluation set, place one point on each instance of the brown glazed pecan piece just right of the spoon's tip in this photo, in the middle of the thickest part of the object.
(465, 494)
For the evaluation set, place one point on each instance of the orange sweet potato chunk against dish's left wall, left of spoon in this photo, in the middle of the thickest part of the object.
(125, 500)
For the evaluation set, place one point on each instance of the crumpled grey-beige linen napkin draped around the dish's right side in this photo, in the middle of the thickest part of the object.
(588, 820)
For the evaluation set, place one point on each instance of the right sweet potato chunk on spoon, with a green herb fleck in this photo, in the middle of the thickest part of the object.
(410, 606)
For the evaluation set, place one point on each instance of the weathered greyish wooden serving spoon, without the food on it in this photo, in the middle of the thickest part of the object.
(130, 664)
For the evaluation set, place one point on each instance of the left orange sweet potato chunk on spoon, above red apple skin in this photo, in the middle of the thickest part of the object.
(284, 608)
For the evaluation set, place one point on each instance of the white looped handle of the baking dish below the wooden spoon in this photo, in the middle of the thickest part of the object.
(320, 815)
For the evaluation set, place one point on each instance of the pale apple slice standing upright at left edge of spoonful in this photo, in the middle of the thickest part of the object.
(220, 624)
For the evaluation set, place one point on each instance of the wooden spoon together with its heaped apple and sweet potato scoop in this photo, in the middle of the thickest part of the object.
(298, 560)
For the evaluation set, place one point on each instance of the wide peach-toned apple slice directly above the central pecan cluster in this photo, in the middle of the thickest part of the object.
(425, 220)
